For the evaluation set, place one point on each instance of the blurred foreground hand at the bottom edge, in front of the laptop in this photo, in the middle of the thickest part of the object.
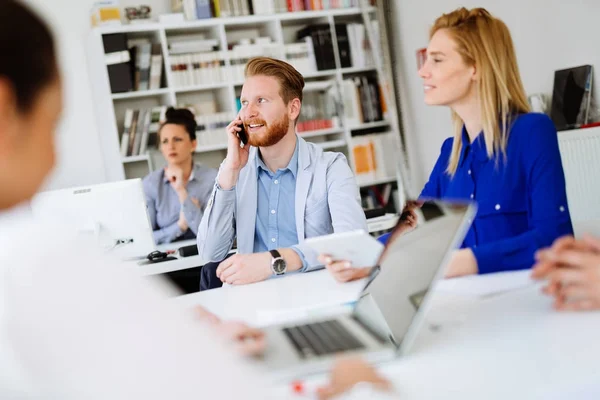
(347, 373)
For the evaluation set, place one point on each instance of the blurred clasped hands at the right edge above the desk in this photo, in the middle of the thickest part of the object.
(572, 268)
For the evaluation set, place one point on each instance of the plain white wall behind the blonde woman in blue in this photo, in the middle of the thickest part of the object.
(548, 35)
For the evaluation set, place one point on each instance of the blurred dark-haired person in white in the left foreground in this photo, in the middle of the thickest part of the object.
(116, 336)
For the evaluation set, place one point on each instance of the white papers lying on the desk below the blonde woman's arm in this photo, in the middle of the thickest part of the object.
(486, 285)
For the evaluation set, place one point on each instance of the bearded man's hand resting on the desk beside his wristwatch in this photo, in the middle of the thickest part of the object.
(241, 269)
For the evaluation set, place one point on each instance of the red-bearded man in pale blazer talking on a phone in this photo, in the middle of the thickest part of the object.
(277, 190)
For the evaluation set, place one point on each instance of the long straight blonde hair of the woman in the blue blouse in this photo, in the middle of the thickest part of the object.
(484, 41)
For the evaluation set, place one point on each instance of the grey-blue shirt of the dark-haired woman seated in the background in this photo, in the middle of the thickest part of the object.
(164, 206)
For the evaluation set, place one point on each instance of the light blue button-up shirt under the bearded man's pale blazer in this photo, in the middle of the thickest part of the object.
(275, 211)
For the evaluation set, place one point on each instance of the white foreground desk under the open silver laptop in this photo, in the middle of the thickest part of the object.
(510, 345)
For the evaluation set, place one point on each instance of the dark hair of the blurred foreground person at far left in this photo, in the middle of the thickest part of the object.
(28, 52)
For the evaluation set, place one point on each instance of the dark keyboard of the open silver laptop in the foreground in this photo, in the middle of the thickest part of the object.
(321, 338)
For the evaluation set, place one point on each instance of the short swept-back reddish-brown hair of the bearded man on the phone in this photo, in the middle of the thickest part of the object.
(291, 82)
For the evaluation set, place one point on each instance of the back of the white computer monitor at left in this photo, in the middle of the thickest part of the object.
(114, 214)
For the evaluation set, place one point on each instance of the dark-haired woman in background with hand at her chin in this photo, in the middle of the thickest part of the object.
(177, 194)
